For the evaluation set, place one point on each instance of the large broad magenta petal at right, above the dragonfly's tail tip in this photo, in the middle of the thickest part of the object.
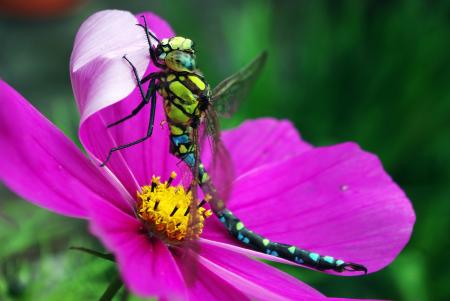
(336, 201)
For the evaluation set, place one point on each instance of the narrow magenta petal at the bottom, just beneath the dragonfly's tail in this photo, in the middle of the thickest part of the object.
(257, 280)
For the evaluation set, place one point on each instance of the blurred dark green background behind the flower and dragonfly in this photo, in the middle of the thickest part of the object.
(374, 72)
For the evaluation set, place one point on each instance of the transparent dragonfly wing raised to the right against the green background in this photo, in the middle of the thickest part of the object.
(235, 88)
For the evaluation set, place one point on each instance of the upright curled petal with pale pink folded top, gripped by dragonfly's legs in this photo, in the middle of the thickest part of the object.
(133, 166)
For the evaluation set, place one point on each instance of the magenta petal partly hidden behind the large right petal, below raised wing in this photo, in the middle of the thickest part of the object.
(261, 141)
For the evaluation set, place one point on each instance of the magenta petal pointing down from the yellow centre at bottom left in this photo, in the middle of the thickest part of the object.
(146, 265)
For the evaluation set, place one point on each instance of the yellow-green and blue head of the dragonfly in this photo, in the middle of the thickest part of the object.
(177, 54)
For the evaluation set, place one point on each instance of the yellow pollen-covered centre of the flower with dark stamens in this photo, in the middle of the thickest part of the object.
(165, 211)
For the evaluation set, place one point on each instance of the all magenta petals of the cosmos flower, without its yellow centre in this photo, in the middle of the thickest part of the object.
(334, 200)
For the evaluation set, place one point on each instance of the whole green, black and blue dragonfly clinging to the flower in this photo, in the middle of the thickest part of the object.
(191, 110)
